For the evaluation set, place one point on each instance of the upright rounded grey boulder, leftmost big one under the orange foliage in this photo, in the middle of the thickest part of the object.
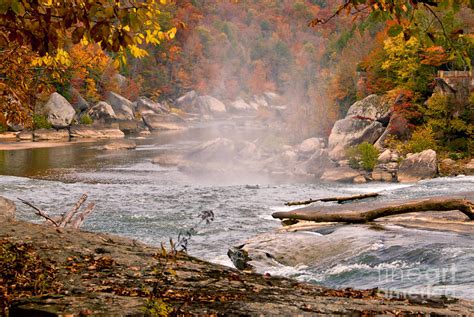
(58, 111)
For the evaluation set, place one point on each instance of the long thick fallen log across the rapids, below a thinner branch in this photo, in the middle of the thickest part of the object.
(348, 215)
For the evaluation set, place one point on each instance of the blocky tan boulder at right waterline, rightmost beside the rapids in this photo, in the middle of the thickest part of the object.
(418, 166)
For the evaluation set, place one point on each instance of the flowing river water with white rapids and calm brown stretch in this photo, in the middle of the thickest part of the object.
(151, 203)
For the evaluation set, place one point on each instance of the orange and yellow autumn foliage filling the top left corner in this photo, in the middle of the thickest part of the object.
(46, 45)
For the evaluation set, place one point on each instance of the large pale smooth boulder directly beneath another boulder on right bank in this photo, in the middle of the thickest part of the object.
(351, 131)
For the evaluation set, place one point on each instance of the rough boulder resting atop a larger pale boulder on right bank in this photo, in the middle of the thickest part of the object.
(372, 107)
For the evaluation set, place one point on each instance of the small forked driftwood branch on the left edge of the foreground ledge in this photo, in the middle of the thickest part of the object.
(71, 219)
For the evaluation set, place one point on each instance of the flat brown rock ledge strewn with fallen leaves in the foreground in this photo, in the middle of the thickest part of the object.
(108, 275)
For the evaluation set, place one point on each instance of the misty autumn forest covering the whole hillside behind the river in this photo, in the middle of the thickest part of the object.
(232, 49)
